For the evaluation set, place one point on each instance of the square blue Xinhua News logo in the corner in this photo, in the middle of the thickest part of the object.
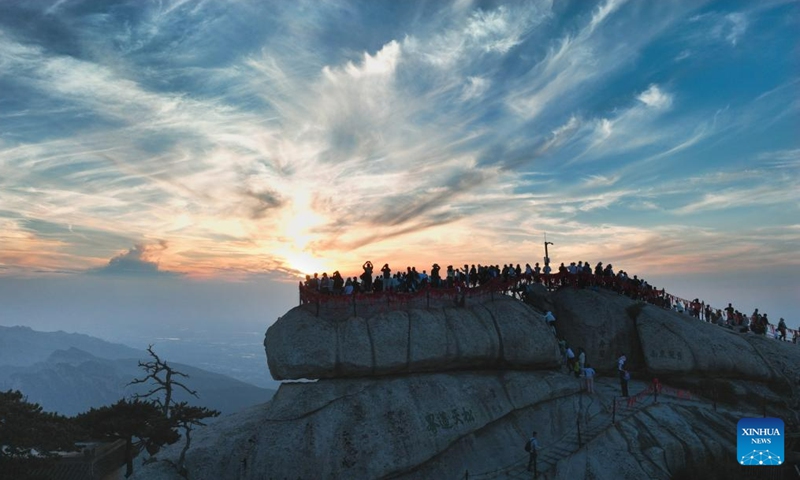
(759, 441)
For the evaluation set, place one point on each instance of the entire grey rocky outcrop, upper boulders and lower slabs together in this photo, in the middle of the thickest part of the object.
(442, 392)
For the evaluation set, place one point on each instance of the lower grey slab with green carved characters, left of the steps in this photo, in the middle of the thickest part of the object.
(434, 425)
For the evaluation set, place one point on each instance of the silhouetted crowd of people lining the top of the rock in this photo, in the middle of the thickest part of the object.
(514, 278)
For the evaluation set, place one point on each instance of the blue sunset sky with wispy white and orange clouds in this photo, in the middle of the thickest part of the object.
(195, 158)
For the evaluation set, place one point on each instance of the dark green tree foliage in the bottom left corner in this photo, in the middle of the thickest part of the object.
(29, 436)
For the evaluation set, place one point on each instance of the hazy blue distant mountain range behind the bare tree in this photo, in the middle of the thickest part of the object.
(69, 373)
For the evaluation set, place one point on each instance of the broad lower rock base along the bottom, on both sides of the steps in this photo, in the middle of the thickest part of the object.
(443, 425)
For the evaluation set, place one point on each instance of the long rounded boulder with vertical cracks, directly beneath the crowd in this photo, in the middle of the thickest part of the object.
(503, 333)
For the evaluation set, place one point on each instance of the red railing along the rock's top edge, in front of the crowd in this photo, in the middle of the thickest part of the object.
(337, 306)
